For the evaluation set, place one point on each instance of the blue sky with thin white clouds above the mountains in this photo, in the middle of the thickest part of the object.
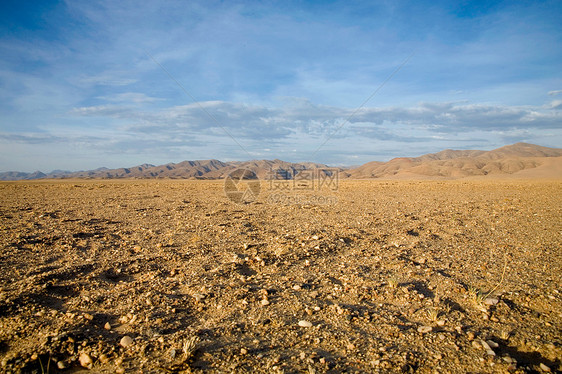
(86, 84)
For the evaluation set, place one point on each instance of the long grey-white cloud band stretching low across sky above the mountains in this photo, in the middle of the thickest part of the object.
(265, 122)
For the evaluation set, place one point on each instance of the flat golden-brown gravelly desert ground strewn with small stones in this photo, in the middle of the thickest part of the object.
(170, 276)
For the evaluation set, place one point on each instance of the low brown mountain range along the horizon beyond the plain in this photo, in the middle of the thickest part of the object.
(523, 159)
